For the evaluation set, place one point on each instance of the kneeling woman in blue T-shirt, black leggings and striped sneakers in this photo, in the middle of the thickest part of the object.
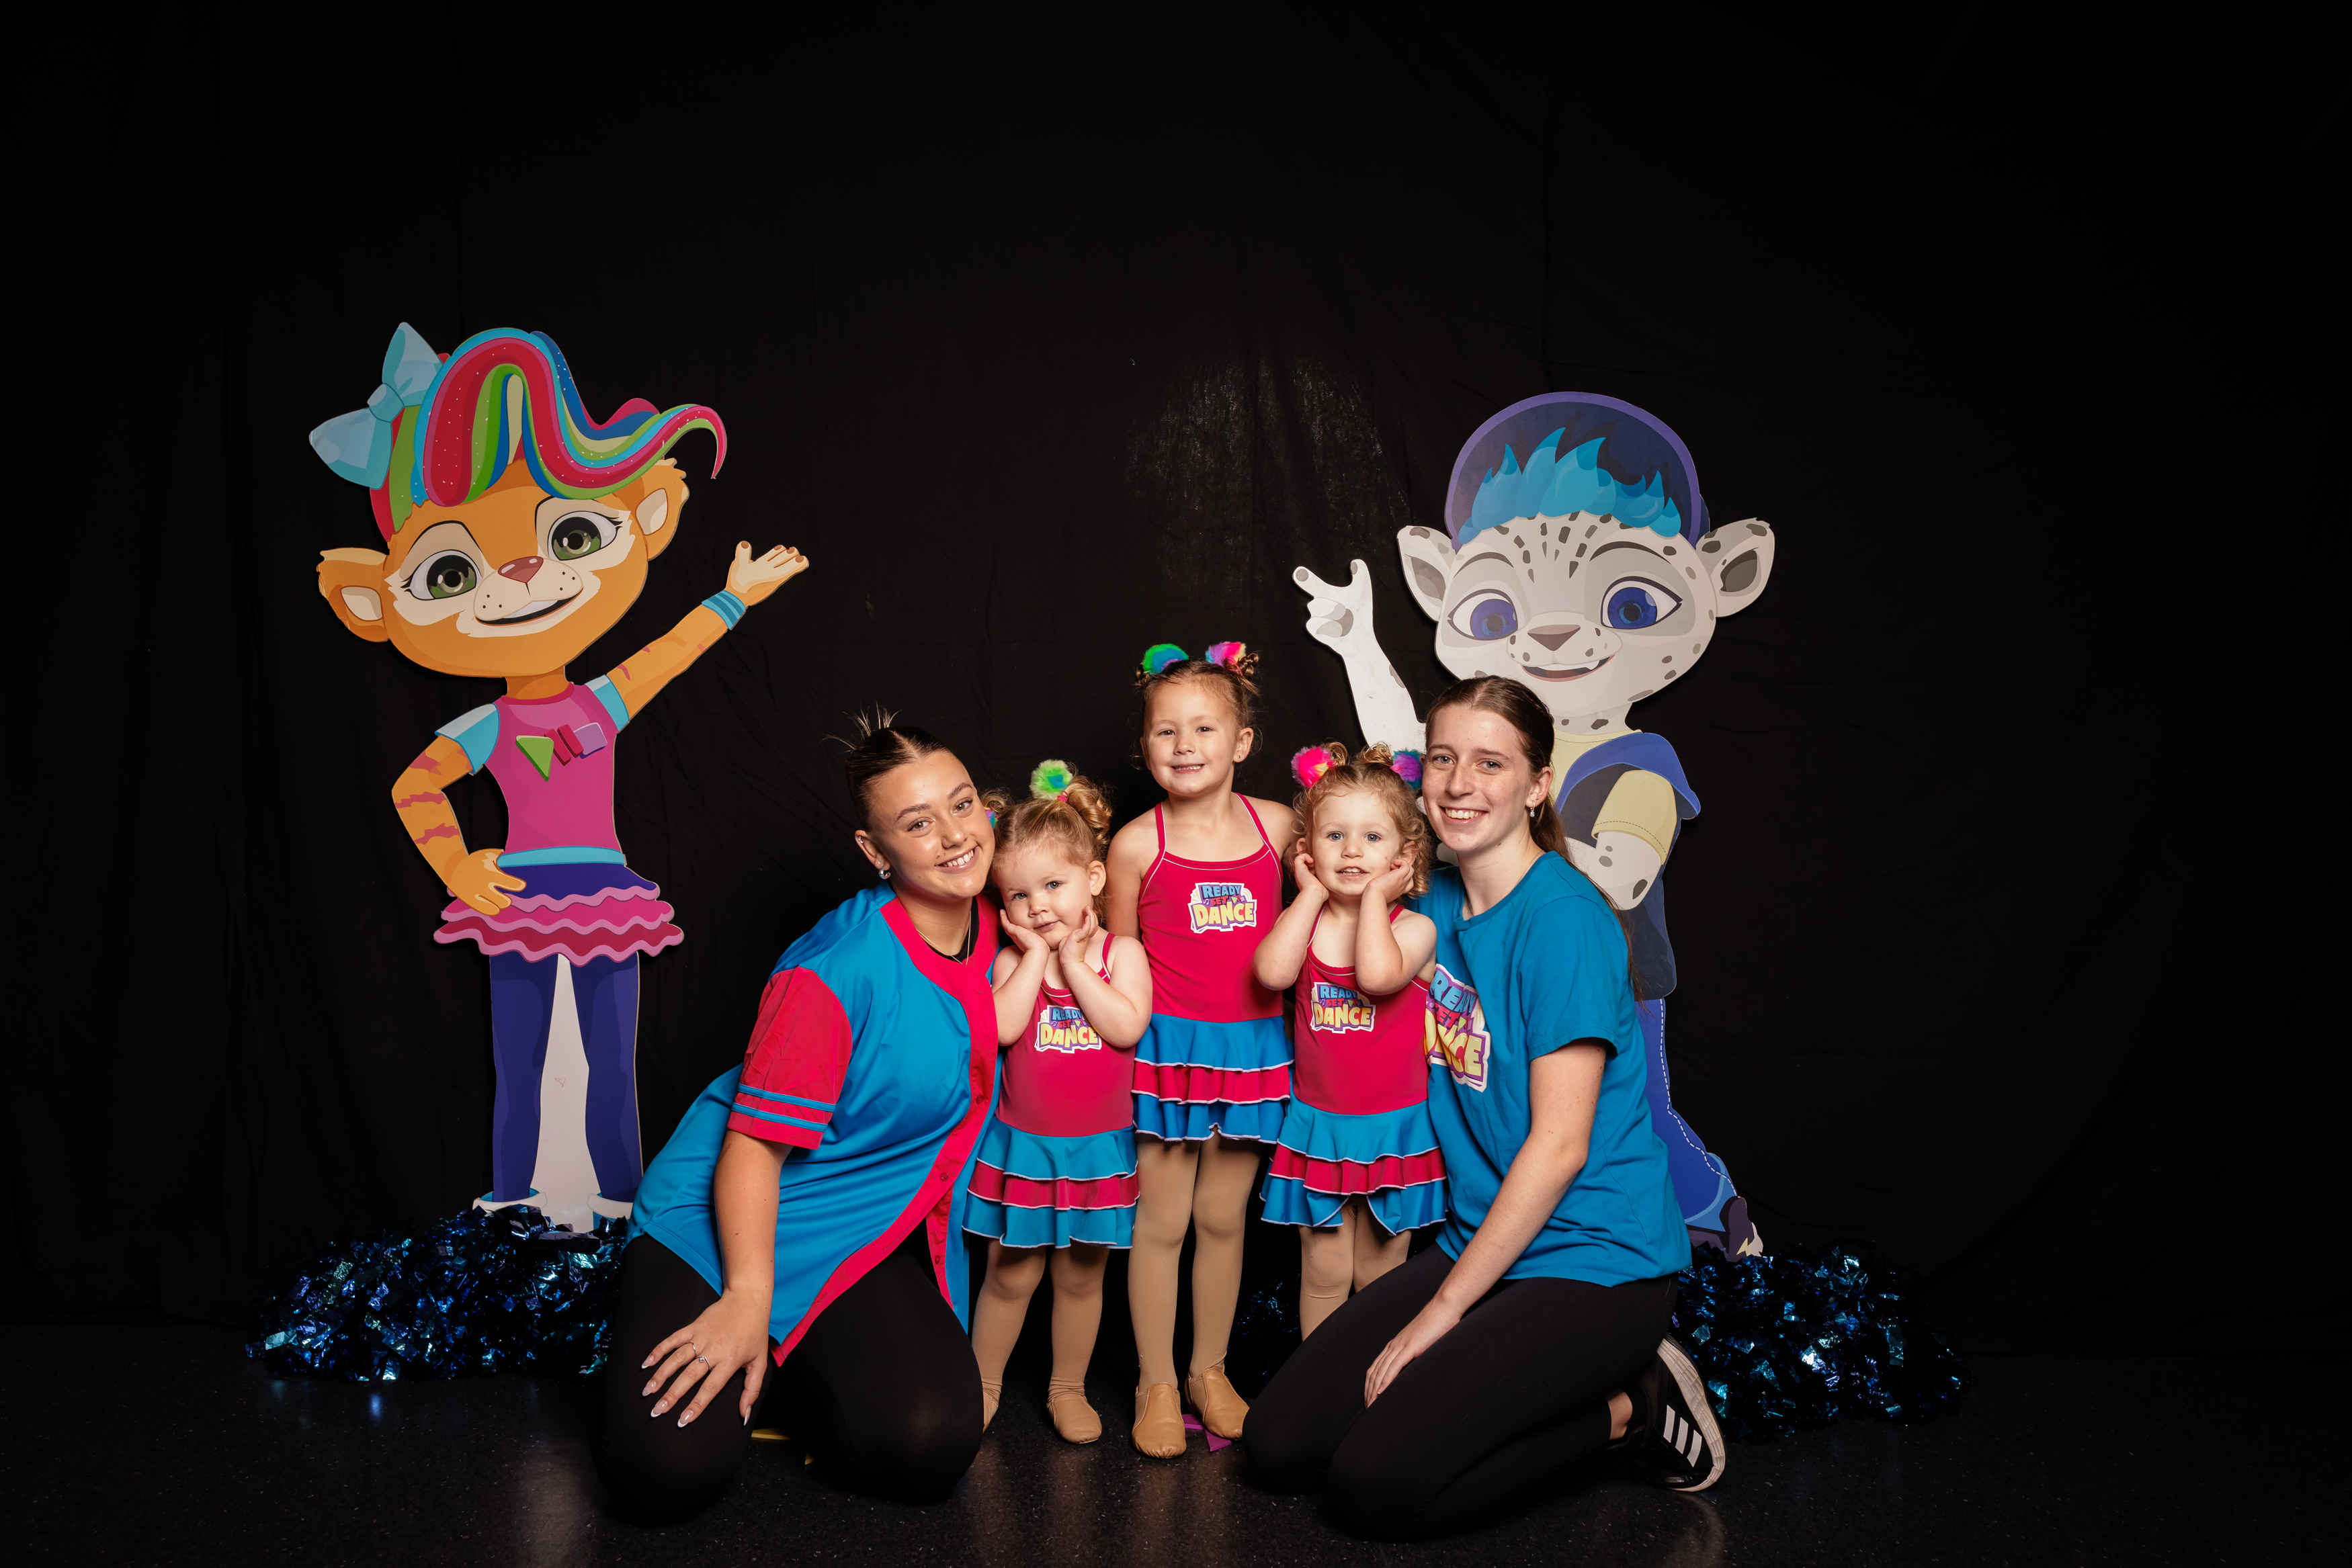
(1535, 1334)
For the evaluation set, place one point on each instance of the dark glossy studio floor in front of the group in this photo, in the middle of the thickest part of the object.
(166, 1447)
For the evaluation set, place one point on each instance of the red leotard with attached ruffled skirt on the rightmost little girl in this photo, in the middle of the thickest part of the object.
(1361, 1118)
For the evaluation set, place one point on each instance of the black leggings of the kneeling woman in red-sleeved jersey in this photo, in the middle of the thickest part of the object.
(883, 1386)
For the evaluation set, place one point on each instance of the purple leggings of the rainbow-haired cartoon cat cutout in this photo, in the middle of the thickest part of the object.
(521, 1010)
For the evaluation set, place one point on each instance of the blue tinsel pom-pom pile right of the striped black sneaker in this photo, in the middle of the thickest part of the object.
(1810, 1336)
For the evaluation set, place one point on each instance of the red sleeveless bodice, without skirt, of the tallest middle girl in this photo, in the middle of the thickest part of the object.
(1203, 923)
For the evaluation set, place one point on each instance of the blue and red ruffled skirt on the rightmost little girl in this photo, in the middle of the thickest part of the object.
(1389, 1160)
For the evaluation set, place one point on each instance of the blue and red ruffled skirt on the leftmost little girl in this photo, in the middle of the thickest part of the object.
(1038, 1191)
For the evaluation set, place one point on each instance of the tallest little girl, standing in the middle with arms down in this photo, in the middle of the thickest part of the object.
(1198, 883)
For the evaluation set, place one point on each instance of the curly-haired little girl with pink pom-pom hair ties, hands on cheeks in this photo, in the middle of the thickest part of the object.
(1358, 1165)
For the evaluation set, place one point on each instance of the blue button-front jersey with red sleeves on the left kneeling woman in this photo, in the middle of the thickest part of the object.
(874, 1064)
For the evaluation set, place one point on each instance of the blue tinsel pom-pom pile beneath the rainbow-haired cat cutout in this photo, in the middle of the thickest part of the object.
(476, 1294)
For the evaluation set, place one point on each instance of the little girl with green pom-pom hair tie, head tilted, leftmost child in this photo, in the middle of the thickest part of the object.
(1055, 1174)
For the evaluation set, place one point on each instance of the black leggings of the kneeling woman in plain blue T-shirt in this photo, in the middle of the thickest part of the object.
(1511, 1398)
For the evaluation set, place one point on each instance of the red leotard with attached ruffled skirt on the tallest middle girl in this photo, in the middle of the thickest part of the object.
(1215, 1059)
